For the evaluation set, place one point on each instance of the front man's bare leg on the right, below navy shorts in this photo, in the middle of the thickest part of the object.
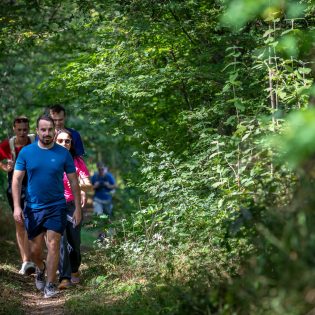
(53, 246)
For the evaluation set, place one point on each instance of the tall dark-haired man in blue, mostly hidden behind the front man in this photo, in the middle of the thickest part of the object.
(58, 114)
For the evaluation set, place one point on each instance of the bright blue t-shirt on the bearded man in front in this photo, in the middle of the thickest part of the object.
(44, 168)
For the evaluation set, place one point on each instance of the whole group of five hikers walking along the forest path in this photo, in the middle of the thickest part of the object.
(47, 184)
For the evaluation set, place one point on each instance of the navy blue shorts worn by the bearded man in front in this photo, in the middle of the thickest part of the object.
(52, 218)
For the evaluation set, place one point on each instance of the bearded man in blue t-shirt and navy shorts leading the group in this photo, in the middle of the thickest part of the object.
(44, 215)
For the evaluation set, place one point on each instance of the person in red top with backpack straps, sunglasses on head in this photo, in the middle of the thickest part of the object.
(9, 150)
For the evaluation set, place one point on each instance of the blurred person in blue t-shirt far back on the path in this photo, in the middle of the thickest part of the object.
(104, 184)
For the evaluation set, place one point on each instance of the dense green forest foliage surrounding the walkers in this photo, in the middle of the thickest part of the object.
(189, 102)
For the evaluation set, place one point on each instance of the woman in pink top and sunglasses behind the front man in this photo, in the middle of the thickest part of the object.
(70, 254)
